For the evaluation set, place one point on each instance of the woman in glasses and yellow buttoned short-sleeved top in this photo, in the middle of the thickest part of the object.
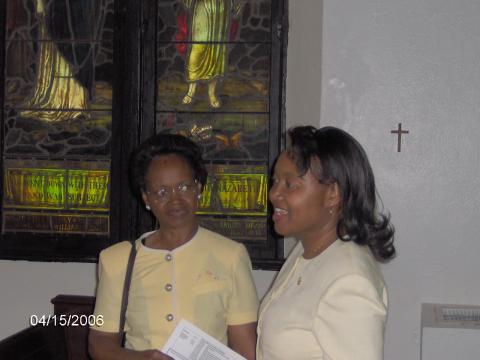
(182, 271)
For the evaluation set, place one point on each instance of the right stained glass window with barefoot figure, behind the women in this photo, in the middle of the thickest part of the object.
(214, 84)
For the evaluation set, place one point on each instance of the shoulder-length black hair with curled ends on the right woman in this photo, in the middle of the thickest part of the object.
(343, 161)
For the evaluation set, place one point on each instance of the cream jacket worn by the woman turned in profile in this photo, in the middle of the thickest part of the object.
(331, 307)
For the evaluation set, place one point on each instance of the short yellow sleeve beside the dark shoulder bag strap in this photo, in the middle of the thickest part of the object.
(109, 293)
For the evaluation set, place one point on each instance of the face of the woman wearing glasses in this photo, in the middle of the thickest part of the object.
(178, 209)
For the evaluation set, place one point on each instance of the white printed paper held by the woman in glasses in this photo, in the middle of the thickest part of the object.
(188, 342)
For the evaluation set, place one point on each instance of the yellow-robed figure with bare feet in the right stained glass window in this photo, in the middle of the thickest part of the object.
(209, 25)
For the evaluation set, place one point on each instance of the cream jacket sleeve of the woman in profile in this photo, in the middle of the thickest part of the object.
(350, 320)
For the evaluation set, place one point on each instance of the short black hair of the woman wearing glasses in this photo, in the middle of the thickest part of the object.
(163, 144)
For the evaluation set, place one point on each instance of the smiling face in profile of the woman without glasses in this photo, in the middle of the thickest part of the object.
(302, 205)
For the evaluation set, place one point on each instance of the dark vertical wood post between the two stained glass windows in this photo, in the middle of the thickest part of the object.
(127, 116)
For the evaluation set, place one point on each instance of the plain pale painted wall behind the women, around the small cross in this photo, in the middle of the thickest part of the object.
(376, 63)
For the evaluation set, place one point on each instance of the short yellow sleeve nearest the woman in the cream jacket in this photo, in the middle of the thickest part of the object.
(243, 303)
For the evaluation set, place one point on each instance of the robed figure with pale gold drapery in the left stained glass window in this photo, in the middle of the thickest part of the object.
(64, 69)
